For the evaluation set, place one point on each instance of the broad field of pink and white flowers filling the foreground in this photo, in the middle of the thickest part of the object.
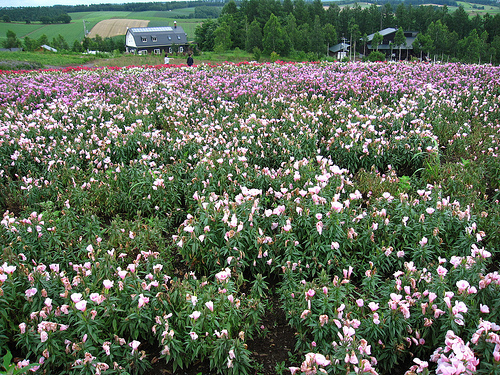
(149, 213)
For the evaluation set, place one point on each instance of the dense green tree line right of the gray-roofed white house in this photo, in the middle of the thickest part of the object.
(297, 28)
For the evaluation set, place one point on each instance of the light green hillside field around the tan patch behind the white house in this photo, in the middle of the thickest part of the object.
(74, 30)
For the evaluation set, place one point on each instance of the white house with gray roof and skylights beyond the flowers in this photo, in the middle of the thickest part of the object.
(142, 40)
